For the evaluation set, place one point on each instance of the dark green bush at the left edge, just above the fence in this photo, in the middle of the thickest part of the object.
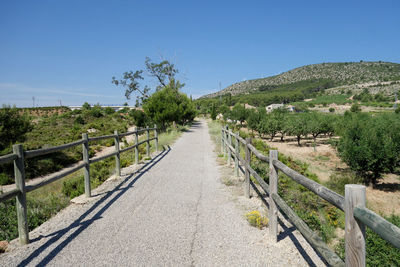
(13, 126)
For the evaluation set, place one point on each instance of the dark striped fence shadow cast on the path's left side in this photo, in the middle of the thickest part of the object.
(80, 224)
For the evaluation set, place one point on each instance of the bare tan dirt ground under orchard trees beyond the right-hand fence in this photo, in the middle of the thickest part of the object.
(384, 199)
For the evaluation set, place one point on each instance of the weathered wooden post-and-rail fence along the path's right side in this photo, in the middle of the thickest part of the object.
(353, 204)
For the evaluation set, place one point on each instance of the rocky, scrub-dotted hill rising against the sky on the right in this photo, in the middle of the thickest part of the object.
(324, 75)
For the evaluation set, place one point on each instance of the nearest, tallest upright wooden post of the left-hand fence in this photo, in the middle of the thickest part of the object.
(19, 172)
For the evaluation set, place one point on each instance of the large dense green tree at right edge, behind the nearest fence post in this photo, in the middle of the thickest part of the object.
(371, 145)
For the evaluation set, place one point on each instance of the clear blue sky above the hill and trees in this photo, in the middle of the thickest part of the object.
(69, 50)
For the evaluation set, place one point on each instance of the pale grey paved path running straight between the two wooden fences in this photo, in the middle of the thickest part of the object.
(173, 212)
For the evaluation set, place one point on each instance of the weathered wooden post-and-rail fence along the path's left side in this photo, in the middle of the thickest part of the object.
(19, 155)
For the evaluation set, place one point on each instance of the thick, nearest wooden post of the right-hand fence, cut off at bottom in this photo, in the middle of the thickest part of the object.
(354, 229)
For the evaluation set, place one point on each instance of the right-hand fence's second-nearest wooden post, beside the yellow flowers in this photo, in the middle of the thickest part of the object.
(273, 189)
